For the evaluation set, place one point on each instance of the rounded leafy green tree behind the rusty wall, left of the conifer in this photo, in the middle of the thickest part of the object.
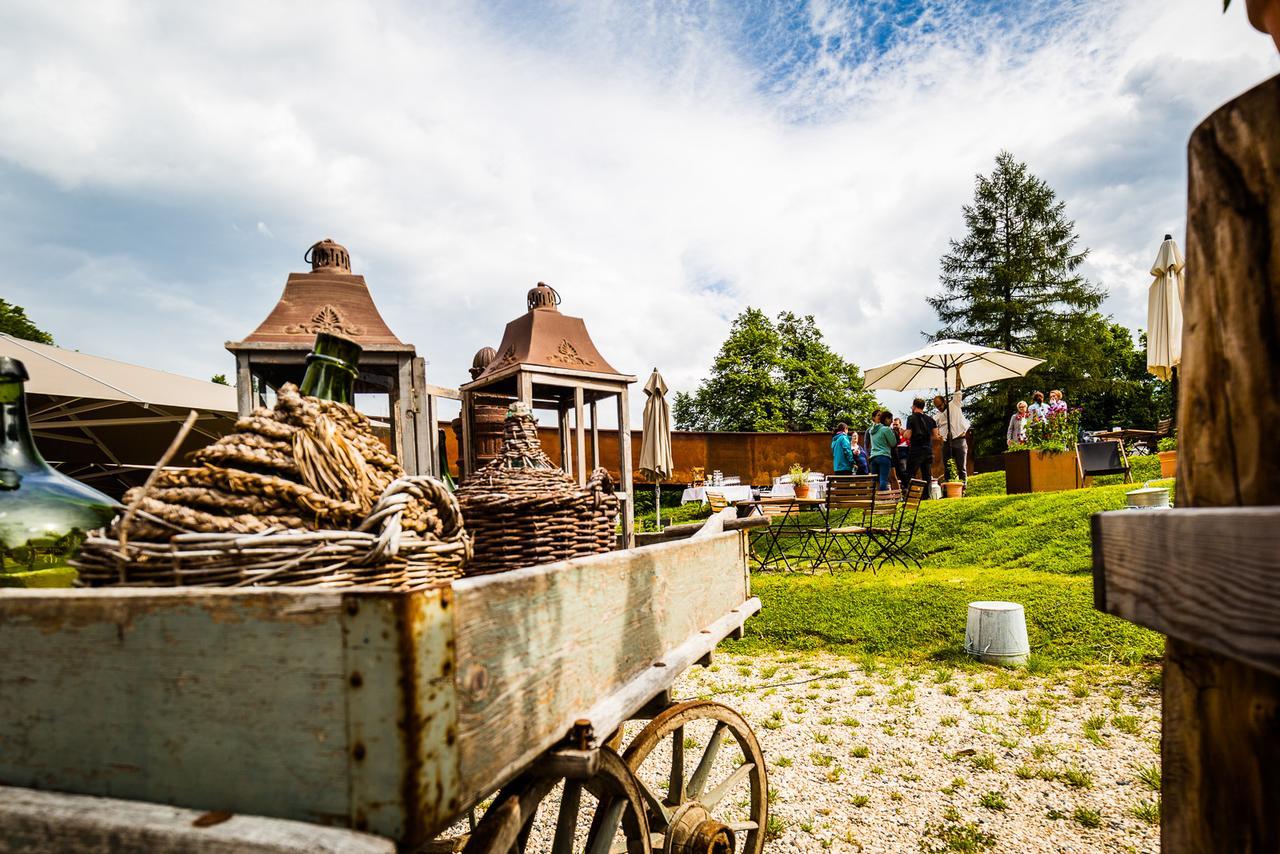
(772, 377)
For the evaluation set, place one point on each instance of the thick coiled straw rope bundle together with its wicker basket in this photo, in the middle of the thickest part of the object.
(303, 494)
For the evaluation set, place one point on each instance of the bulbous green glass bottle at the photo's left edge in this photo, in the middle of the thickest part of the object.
(44, 514)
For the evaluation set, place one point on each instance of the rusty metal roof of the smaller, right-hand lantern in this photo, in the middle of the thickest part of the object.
(546, 341)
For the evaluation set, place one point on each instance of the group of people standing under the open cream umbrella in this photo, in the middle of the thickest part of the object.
(890, 445)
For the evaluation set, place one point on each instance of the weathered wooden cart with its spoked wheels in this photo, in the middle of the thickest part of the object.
(400, 713)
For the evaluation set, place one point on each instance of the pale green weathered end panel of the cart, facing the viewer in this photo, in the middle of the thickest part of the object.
(207, 700)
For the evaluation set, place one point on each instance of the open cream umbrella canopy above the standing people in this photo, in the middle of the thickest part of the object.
(935, 367)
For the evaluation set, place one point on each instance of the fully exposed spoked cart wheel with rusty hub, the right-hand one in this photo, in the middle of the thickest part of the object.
(719, 807)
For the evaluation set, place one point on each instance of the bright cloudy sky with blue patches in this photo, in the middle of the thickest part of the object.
(163, 167)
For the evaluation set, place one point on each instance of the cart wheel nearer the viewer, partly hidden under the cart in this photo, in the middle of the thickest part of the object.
(619, 819)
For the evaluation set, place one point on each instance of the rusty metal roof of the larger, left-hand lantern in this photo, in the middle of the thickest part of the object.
(328, 299)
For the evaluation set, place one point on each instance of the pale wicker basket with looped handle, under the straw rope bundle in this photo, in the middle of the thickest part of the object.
(381, 552)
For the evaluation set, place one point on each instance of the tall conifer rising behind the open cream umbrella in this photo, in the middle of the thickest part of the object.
(1013, 282)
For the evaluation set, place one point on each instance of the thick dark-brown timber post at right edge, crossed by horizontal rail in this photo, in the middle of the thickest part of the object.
(1222, 736)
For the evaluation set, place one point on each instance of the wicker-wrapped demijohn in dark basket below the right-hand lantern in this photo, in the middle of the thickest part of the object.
(523, 510)
